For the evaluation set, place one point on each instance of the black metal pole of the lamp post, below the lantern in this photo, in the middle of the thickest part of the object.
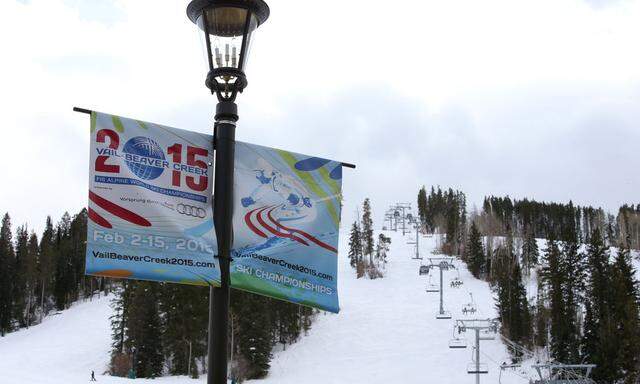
(224, 143)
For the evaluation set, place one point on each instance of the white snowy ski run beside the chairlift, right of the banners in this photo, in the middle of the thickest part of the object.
(387, 332)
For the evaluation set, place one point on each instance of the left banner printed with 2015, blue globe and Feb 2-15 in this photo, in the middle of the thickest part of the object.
(150, 214)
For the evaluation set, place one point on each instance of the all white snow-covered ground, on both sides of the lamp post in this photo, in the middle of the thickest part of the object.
(386, 332)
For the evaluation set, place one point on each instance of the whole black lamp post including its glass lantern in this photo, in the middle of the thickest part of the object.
(228, 26)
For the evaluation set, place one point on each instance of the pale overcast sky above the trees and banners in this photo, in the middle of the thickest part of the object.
(535, 98)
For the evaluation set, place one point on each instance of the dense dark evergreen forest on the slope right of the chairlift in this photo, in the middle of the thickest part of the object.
(587, 305)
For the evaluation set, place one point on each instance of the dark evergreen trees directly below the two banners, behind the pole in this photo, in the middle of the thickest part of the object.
(160, 328)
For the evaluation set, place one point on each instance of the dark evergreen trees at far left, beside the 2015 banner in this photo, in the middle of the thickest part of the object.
(40, 275)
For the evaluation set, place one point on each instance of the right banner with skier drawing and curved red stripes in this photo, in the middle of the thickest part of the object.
(286, 221)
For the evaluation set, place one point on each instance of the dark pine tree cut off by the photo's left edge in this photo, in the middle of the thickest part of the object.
(7, 267)
